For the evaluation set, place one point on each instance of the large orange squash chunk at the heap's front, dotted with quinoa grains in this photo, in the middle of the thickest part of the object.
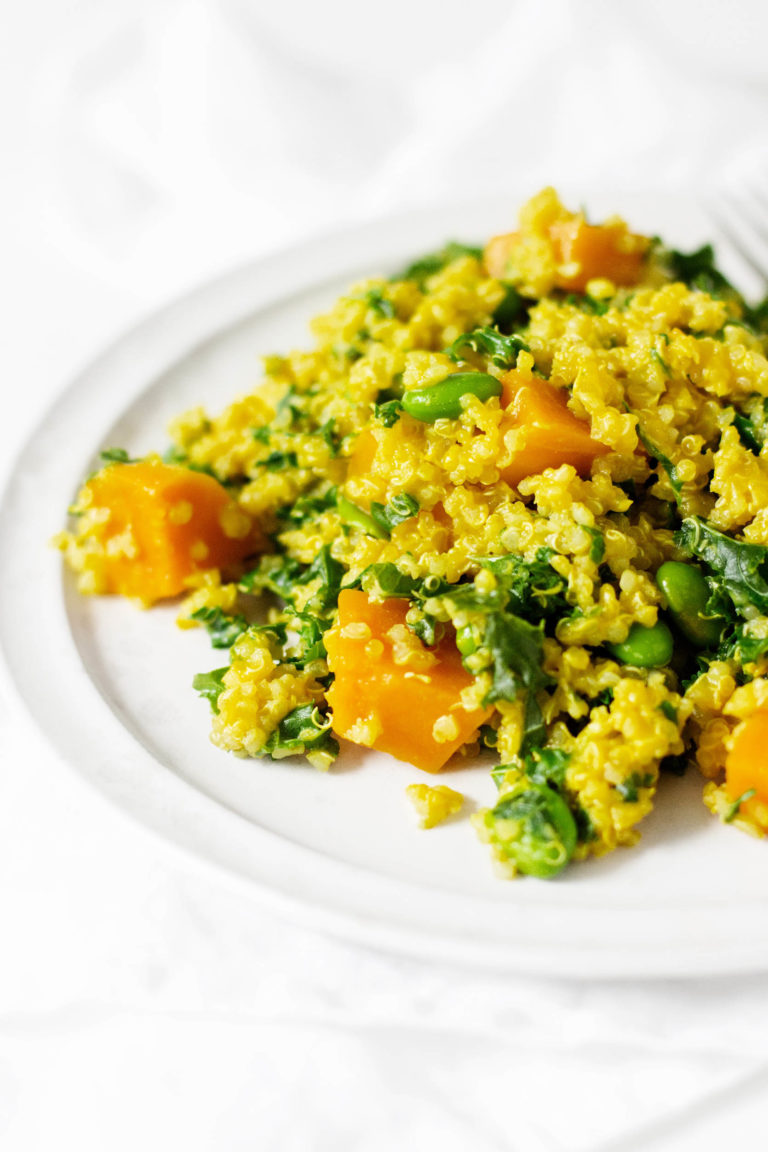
(390, 692)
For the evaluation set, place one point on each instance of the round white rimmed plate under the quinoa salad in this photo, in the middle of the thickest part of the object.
(339, 851)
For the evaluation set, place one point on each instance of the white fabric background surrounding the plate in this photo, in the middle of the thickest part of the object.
(146, 147)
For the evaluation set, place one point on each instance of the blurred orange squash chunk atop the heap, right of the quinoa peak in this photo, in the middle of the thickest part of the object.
(587, 252)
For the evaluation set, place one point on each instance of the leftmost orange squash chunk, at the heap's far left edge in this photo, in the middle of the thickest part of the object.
(158, 525)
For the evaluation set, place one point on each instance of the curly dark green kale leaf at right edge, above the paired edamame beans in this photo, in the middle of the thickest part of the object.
(739, 570)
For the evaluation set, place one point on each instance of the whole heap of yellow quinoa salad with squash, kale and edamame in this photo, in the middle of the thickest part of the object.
(514, 498)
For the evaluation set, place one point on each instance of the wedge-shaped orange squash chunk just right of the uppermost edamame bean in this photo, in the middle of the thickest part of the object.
(548, 433)
